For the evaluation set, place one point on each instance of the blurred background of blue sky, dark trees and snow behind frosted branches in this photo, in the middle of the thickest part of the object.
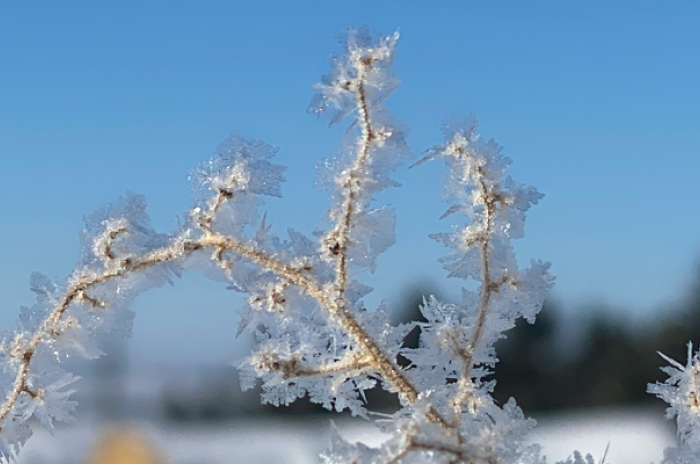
(596, 103)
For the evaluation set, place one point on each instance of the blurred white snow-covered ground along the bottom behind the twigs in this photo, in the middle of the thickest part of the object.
(633, 436)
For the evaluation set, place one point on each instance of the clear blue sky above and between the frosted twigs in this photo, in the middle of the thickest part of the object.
(596, 102)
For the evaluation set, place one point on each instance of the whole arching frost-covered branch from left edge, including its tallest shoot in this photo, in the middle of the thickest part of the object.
(285, 279)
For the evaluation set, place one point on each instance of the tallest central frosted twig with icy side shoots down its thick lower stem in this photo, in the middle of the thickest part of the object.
(340, 348)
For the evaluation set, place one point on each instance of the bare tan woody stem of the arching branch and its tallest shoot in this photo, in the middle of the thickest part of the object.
(365, 356)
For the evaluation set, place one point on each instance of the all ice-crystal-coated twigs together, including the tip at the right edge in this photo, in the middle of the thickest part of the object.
(315, 336)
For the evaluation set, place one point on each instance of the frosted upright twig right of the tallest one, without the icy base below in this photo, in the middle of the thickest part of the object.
(495, 208)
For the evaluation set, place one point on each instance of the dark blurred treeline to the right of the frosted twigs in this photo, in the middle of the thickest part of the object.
(610, 365)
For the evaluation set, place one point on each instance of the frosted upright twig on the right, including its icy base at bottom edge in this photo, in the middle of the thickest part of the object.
(456, 349)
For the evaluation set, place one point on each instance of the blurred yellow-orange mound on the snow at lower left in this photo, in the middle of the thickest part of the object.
(124, 445)
